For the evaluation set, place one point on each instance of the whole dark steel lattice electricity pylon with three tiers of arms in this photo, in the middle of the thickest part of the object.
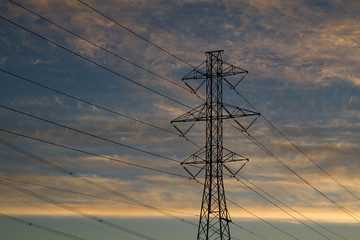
(214, 216)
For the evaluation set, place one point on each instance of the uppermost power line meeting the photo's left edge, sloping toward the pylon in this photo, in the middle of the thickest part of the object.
(95, 63)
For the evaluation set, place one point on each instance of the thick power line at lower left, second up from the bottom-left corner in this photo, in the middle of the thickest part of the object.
(74, 210)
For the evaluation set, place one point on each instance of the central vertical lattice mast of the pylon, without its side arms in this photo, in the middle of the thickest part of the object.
(214, 214)
